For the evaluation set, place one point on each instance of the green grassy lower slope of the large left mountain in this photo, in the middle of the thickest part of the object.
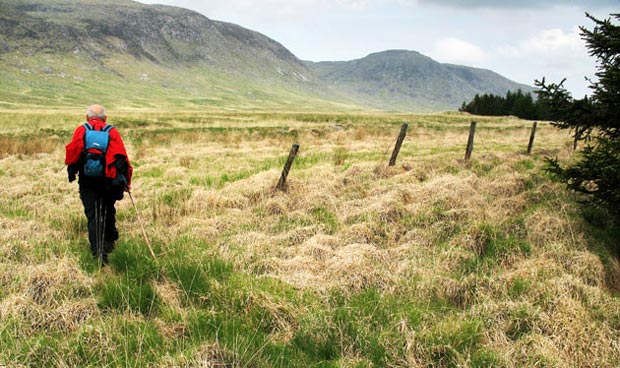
(166, 89)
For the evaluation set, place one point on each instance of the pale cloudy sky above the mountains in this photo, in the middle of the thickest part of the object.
(523, 40)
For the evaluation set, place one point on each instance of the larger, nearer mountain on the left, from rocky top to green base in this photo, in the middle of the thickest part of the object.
(57, 52)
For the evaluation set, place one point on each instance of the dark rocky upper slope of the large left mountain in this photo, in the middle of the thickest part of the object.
(161, 34)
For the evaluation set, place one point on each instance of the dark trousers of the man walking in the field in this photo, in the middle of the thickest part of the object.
(101, 215)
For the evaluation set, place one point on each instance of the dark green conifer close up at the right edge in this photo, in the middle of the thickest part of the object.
(595, 120)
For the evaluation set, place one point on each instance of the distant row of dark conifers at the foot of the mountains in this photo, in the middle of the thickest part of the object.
(522, 105)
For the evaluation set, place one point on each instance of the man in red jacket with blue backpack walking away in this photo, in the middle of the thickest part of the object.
(97, 154)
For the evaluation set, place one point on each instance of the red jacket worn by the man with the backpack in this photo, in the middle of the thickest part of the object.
(115, 147)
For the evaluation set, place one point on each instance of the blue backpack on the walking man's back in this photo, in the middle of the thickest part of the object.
(94, 162)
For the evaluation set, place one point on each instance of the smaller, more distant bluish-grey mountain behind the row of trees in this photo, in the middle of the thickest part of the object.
(406, 80)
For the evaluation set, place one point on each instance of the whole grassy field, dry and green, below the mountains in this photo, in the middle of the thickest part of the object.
(435, 262)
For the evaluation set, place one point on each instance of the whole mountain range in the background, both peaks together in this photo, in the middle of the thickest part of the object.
(127, 54)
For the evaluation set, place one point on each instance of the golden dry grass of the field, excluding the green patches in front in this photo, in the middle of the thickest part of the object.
(493, 238)
